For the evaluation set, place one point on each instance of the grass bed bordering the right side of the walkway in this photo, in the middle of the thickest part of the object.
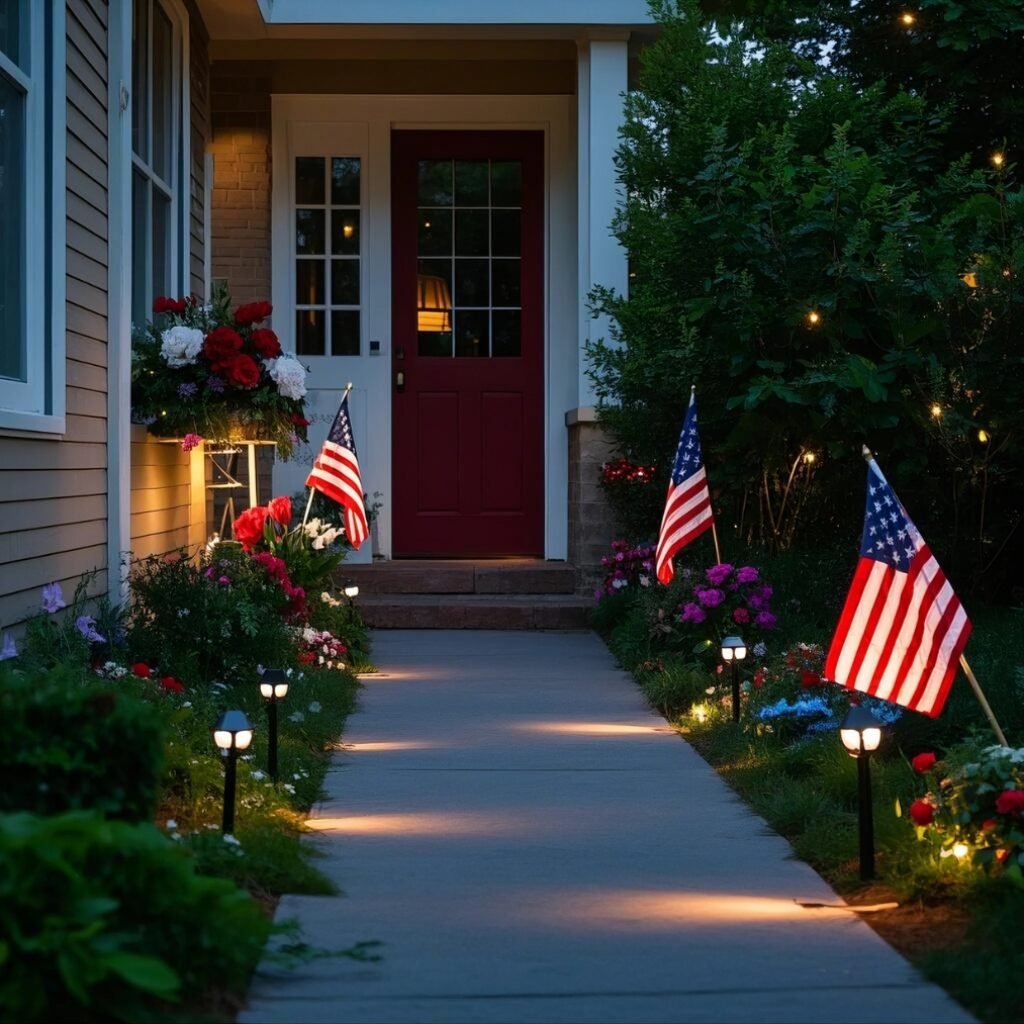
(959, 926)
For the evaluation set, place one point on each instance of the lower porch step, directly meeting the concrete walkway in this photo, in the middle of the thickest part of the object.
(476, 612)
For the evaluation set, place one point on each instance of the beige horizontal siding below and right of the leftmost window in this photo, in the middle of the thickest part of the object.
(54, 491)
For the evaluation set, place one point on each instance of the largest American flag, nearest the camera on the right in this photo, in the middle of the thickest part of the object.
(903, 629)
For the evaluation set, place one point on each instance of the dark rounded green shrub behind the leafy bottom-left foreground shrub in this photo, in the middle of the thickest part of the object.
(72, 744)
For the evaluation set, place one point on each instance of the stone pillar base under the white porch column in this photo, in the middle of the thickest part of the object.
(591, 524)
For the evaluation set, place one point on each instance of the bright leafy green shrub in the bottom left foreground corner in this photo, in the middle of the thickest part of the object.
(104, 921)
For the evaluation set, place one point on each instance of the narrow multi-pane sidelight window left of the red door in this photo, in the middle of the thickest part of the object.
(327, 255)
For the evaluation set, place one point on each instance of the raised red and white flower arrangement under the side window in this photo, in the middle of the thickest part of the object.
(205, 373)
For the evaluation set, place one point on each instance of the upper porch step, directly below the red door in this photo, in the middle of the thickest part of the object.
(505, 576)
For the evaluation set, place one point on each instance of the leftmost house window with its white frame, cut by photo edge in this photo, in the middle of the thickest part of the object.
(31, 182)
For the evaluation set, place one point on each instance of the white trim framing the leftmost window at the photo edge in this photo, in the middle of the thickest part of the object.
(38, 405)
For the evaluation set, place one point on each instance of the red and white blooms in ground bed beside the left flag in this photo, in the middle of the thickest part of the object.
(308, 554)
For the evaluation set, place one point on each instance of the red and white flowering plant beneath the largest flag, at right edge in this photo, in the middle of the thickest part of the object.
(974, 806)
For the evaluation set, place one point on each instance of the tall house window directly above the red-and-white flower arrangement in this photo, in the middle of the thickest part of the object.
(159, 103)
